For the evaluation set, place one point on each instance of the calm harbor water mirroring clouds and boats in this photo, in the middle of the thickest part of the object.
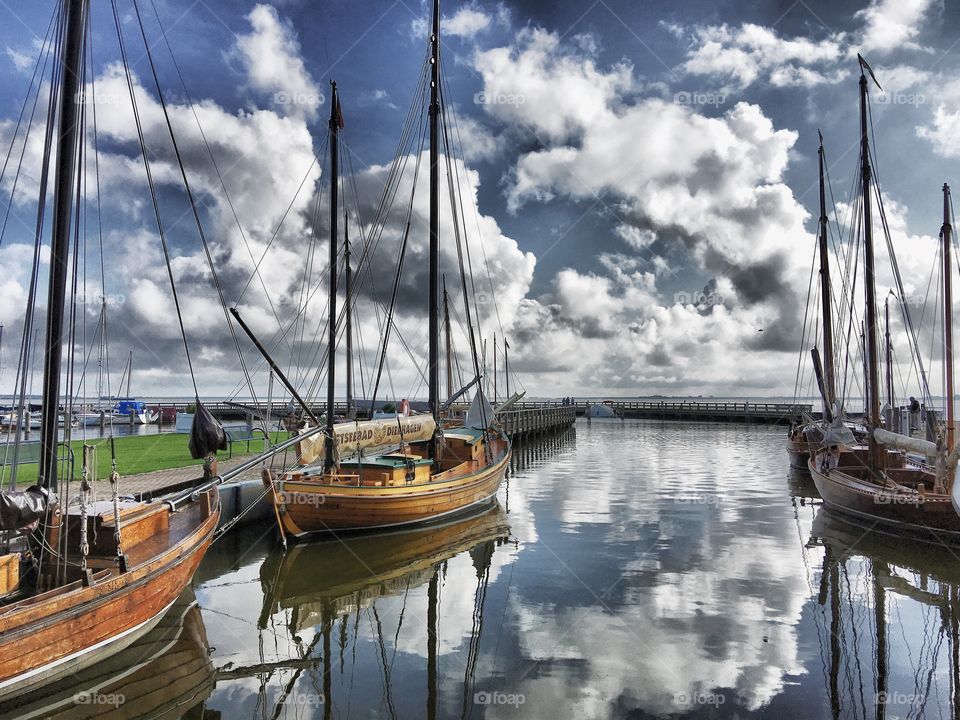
(630, 569)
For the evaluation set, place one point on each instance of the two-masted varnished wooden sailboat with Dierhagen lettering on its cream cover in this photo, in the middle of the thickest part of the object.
(431, 468)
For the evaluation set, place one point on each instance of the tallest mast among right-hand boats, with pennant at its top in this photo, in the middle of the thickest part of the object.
(870, 330)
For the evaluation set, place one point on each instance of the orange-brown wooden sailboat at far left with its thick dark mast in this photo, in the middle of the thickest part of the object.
(59, 614)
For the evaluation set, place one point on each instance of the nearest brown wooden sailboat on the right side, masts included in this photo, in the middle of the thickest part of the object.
(883, 480)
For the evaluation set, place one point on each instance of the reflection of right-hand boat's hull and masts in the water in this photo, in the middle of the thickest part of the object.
(888, 621)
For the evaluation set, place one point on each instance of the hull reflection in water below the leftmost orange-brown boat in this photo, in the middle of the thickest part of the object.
(165, 675)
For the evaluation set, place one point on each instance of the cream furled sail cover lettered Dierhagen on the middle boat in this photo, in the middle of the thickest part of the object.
(352, 437)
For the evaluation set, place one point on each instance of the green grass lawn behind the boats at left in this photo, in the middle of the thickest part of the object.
(138, 454)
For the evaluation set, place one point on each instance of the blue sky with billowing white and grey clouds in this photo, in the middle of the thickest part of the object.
(640, 180)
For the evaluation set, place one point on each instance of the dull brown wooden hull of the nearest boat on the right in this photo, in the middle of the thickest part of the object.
(929, 516)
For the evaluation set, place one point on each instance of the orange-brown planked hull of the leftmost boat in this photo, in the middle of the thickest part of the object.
(55, 633)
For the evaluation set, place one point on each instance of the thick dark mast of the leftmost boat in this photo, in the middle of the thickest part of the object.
(67, 137)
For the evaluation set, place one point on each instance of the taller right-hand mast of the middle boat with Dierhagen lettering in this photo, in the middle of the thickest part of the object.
(434, 329)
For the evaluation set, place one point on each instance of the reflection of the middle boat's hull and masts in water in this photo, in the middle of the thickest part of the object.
(355, 584)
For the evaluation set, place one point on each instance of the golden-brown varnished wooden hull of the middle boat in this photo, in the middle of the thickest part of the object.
(307, 507)
